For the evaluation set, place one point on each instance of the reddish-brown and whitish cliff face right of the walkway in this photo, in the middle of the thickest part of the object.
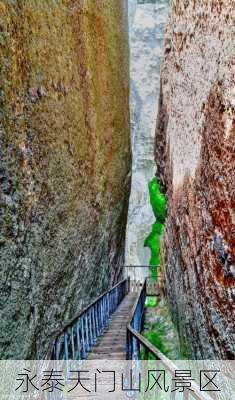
(197, 169)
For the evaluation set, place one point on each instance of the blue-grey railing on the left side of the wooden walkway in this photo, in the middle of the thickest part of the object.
(79, 336)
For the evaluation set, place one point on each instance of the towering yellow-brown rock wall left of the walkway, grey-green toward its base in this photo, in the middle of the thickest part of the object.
(65, 159)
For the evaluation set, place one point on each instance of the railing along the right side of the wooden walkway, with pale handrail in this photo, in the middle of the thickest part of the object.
(135, 340)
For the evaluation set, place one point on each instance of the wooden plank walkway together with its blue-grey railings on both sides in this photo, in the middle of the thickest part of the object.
(110, 329)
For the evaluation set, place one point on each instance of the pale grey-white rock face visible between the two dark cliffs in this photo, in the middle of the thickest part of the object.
(147, 24)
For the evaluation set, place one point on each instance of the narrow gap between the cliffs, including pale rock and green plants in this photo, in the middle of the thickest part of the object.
(148, 205)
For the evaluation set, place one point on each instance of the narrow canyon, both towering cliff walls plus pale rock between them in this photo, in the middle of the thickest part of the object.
(99, 98)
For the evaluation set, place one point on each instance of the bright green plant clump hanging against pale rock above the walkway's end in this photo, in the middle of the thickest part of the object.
(159, 205)
